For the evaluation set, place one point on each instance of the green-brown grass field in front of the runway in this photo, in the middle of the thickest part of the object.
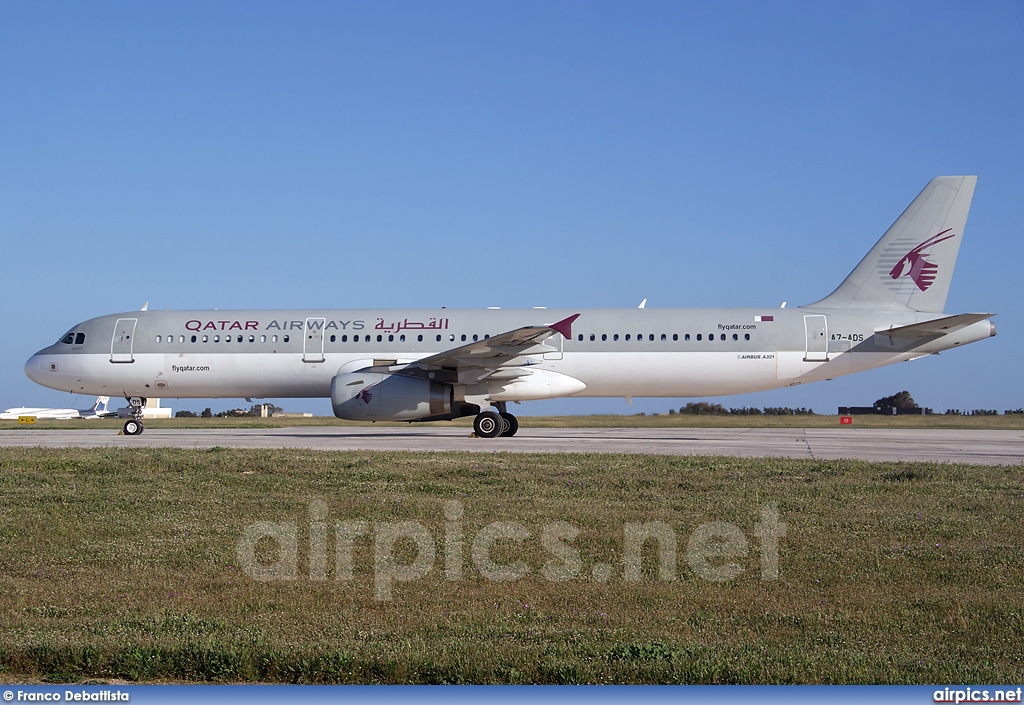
(124, 564)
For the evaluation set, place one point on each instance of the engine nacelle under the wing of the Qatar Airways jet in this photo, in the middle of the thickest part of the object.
(383, 397)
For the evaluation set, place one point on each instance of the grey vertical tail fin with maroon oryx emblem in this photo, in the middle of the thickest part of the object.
(910, 269)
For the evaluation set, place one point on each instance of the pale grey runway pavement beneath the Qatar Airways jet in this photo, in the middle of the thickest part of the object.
(976, 447)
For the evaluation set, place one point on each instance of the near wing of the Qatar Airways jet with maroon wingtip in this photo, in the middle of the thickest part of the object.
(482, 358)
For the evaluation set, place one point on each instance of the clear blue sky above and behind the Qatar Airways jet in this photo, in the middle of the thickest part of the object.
(514, 154)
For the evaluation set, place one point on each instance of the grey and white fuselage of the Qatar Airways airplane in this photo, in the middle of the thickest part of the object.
(612, 353)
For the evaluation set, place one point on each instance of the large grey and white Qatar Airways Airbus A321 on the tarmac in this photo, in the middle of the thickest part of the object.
(426, 365)
